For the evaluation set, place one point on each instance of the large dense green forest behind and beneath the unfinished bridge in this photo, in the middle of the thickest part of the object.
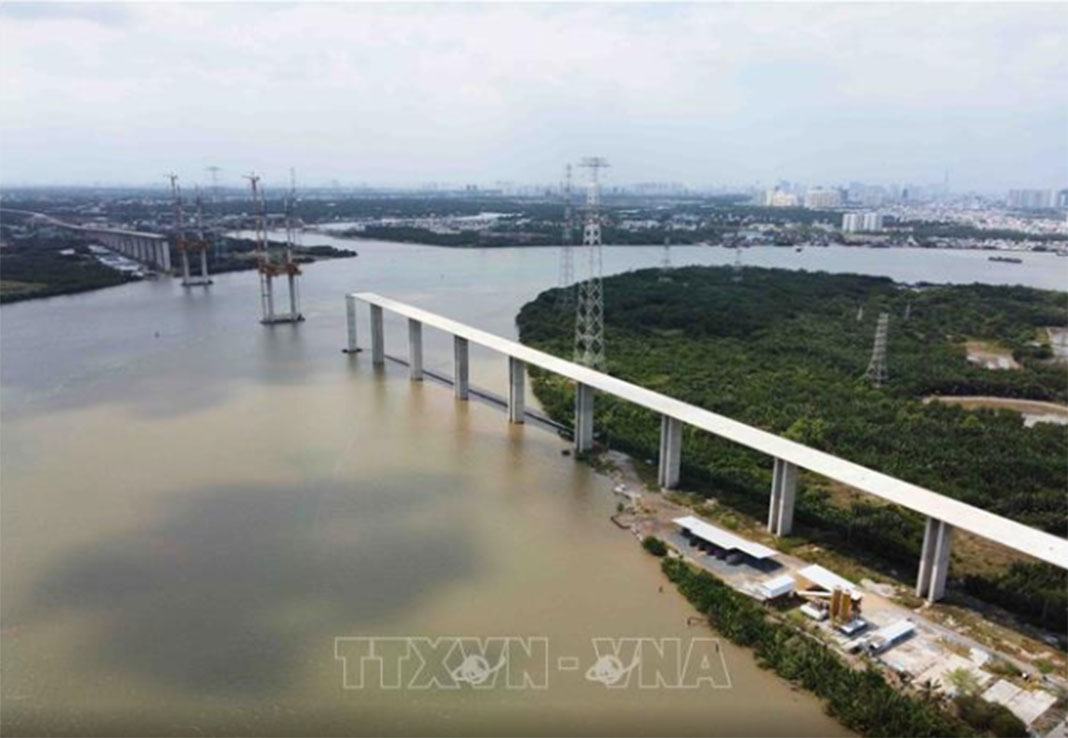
(786, 352)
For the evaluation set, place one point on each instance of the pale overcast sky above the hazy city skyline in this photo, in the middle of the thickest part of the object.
(409, 95)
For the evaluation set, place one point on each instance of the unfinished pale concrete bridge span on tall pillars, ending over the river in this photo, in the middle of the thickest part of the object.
(944, 514)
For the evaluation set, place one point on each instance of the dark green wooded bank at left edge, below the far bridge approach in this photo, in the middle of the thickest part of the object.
(37, 269)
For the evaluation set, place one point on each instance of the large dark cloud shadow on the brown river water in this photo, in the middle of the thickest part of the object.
(225, 594)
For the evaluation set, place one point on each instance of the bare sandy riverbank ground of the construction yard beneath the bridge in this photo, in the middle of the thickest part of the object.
(933, 660)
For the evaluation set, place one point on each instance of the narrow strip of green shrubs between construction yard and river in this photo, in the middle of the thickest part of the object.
(861, 700)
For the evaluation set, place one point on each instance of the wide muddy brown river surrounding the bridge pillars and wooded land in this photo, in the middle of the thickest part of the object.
(196, 507)
